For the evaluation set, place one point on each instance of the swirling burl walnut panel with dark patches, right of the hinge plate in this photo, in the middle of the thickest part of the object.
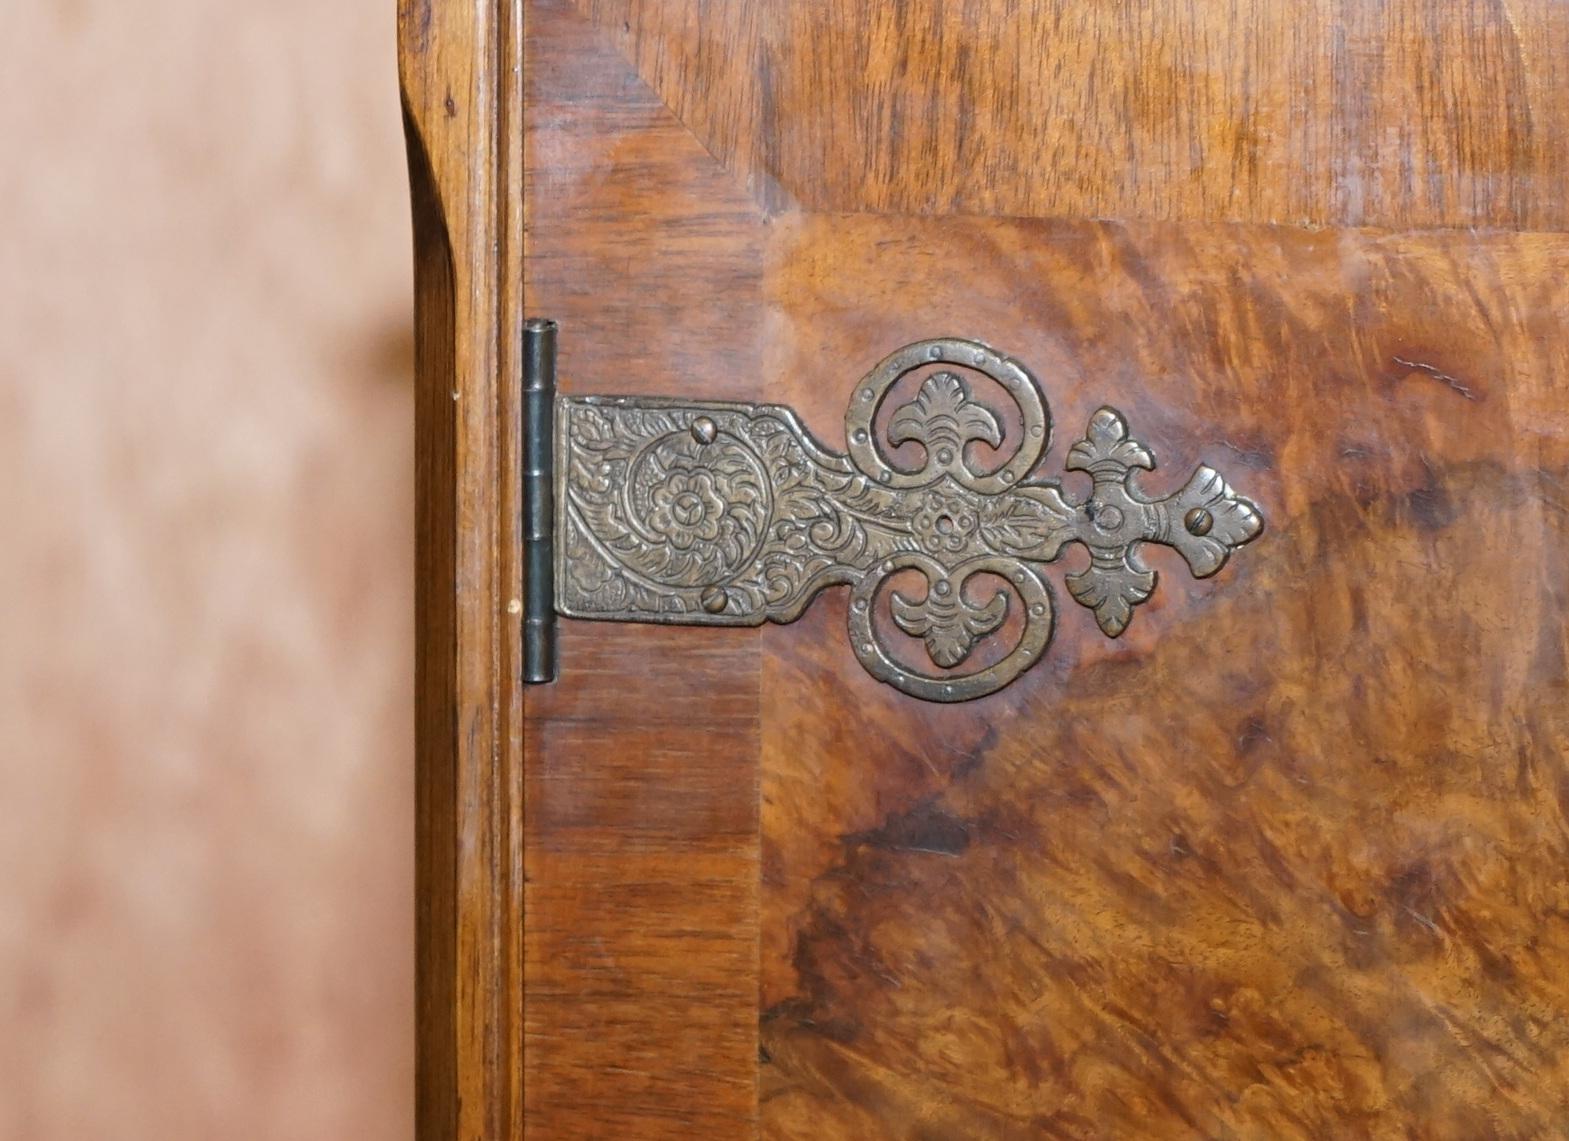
(1287, 859)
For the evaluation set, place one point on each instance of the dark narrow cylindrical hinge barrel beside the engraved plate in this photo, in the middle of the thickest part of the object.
(539, 501)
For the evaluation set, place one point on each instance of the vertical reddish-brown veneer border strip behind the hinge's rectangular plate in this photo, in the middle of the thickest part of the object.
(641, 784)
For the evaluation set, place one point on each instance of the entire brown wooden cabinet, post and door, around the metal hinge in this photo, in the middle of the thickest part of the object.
(1283, 859)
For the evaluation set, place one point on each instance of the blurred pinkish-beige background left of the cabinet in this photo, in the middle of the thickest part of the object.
(206, 793)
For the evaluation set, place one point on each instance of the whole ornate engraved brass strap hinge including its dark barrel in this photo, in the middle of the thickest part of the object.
(716, 514)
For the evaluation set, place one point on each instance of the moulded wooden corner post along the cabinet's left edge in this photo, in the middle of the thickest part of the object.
(461, 78)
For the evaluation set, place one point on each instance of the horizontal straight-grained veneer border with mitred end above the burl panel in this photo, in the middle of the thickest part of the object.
(1330, 112)
